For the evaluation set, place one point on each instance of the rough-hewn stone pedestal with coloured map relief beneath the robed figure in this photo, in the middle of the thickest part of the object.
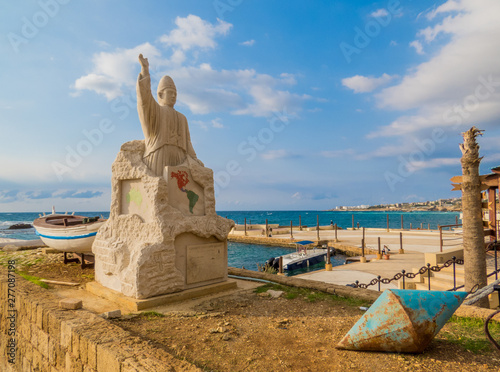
(163, 234)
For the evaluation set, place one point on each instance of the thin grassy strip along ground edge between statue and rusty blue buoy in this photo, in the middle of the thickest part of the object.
(311, 295)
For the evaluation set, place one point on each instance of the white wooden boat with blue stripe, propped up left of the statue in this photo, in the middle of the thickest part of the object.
(68, 232)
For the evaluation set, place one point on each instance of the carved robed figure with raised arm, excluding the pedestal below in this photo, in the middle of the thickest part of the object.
(168, 142)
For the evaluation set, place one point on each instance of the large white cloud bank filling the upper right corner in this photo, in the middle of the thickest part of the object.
(460, 83)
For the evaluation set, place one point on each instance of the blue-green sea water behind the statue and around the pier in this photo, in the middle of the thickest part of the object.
(249, 255)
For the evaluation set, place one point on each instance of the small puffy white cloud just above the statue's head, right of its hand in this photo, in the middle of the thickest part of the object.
(194, 32)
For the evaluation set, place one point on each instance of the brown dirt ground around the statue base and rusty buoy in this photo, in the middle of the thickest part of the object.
(250, 331)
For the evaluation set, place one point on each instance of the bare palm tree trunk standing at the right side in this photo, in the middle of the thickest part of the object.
(473, 231)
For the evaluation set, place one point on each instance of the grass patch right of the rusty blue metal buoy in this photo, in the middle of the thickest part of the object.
(468, 333)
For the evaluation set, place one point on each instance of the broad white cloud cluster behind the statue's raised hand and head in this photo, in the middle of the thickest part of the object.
(201, 88)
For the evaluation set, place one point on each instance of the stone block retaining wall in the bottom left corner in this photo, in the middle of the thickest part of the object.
(48, 339)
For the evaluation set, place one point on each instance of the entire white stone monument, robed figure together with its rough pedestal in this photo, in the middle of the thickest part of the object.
(163, 234)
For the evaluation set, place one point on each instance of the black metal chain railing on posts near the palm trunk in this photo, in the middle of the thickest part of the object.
(429, 269)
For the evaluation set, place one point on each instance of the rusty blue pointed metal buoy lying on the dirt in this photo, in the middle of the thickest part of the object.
(403, 321)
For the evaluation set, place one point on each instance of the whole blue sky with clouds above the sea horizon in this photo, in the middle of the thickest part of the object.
(293, 104)
